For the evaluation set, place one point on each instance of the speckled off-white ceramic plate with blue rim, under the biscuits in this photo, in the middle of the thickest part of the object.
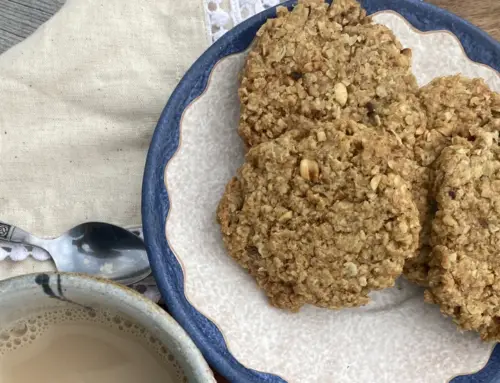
(196, 150)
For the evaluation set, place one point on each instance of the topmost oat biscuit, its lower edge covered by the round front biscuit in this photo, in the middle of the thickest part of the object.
(325, 63)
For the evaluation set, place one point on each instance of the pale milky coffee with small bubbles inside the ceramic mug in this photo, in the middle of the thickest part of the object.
(80, 345)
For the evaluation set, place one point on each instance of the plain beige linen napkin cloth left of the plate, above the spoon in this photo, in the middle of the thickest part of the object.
(79, 101)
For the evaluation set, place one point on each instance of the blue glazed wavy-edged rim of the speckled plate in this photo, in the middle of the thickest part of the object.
(424, 17)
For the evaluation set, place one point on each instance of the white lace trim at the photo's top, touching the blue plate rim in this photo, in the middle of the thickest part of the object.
(222, 15)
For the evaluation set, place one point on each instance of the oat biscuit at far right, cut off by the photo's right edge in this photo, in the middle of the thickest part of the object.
(464, 278)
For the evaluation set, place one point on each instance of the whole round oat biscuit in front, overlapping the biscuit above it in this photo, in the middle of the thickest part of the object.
(318, 217)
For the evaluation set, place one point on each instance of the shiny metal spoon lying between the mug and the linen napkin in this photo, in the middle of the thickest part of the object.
(95, 248)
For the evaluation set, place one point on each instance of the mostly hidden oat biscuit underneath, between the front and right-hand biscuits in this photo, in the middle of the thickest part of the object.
(454, 105)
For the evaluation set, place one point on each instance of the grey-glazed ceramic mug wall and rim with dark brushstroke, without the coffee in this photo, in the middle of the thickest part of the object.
(21, 296)
